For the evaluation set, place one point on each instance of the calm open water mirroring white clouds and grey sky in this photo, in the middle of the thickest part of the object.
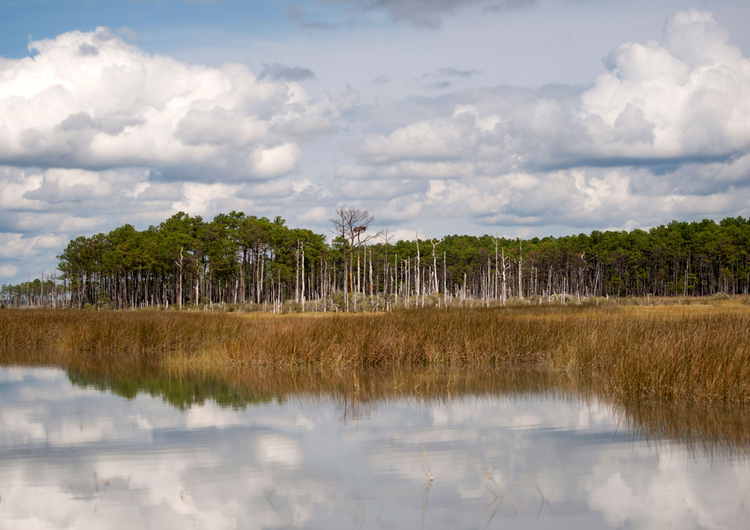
(73, 456)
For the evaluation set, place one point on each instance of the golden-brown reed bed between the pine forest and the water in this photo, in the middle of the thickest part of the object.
(664, 352)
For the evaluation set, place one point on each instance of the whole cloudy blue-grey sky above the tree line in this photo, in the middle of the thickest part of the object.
(508, 117)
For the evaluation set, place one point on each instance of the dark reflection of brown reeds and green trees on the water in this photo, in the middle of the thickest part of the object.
(694, 424)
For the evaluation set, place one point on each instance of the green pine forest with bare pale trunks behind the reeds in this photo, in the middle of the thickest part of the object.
(239, 261)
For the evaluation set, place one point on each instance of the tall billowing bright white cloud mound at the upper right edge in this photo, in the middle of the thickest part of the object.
(684, 97)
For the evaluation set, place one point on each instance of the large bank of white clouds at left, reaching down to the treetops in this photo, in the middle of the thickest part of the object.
(97, 133)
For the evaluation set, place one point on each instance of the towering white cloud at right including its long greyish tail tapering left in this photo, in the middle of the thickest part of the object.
(685, 97)
